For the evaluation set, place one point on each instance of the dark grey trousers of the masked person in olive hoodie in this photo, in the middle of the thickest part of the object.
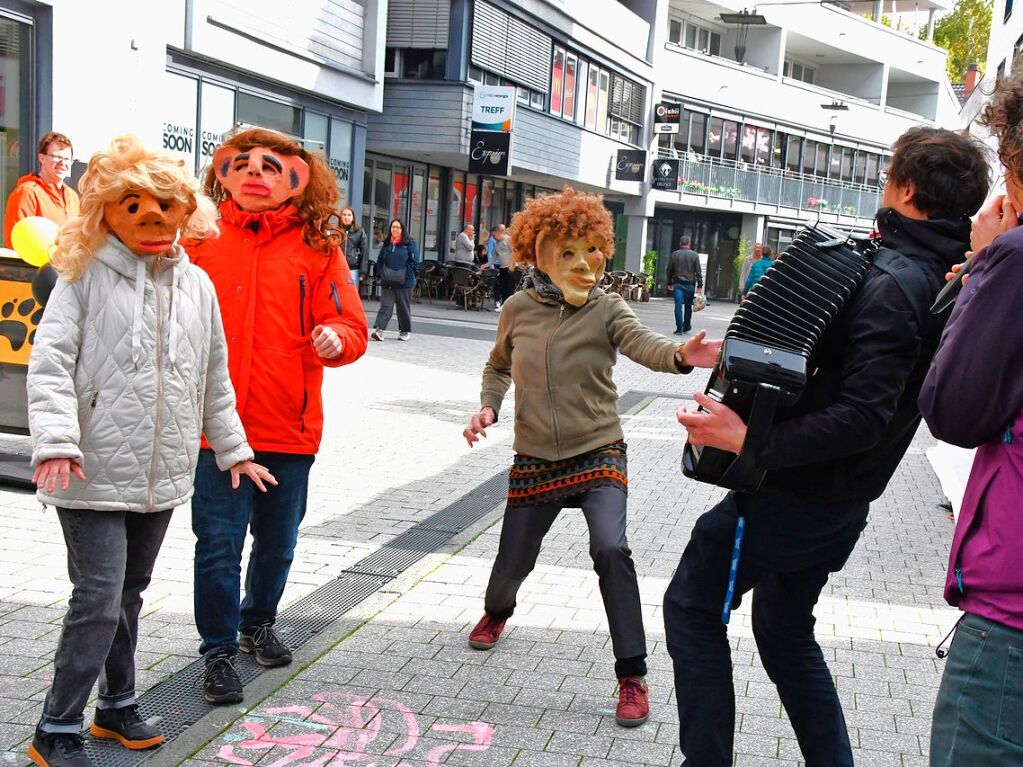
(604, 510)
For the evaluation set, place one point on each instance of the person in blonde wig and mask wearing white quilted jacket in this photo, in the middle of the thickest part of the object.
(129, 369)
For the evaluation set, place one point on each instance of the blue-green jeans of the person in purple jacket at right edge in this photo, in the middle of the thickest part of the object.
(978, 715)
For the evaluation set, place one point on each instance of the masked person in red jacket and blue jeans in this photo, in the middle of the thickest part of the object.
(290, 309)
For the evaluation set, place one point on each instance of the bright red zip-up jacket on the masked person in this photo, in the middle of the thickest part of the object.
(274, 290)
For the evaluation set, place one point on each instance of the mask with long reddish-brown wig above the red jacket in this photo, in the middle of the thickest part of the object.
(262, 170)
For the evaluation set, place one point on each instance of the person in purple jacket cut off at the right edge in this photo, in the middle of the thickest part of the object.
(973, 397)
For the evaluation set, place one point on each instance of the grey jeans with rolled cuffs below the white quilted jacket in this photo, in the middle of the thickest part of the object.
(111, 556)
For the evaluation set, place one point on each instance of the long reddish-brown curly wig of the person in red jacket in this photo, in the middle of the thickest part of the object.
(318, 205)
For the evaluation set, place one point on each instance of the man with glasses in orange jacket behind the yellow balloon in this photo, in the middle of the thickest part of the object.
(45, 194)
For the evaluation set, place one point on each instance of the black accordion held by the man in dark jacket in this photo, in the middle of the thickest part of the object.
(769, 344)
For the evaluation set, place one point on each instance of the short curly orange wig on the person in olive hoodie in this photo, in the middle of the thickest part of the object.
(569, 215)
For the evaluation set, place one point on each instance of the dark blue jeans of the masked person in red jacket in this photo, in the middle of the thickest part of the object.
(220, 518)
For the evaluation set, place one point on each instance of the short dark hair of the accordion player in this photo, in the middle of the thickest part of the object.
(948, 170)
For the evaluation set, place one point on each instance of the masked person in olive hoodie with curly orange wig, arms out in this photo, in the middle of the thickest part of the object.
(558, 341)
